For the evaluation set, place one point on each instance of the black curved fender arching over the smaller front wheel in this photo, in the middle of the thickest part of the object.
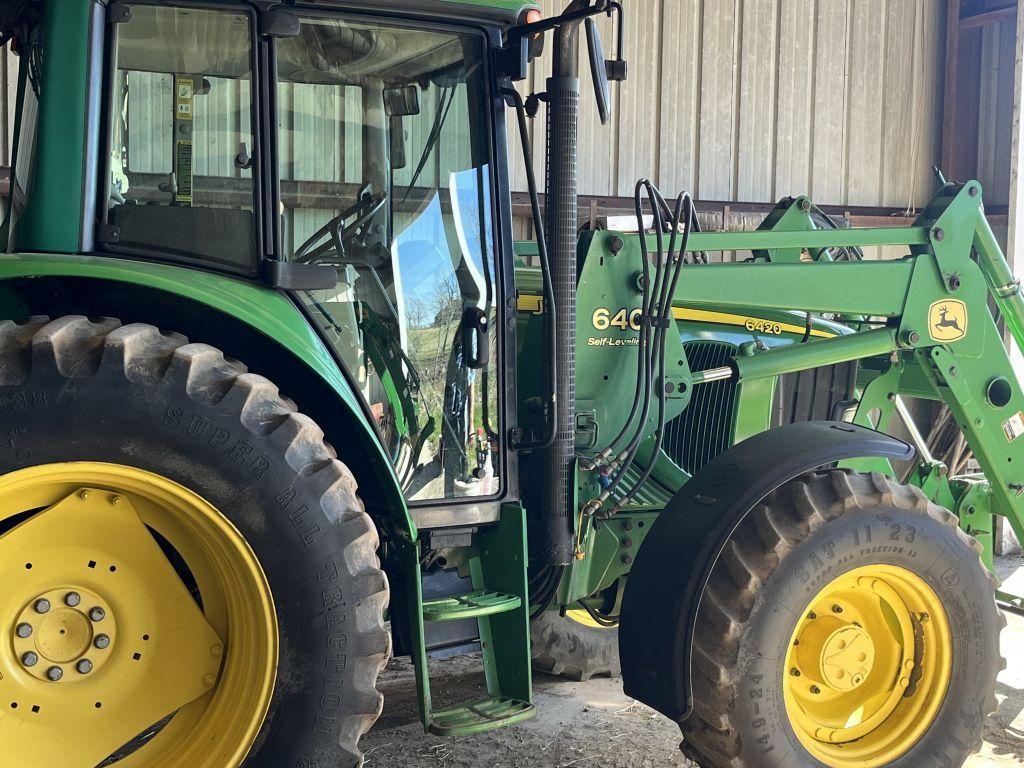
(672, 569)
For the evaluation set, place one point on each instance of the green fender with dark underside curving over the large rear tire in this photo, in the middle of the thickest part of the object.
(220, 311)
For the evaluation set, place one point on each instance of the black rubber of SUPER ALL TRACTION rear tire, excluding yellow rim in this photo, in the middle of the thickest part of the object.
(80, 391)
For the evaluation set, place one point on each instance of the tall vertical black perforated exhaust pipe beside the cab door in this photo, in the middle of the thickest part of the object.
(554, 544)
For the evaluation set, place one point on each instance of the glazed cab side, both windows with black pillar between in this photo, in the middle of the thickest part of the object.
(382, 139)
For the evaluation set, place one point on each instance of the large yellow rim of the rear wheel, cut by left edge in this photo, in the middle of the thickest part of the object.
(108, 657)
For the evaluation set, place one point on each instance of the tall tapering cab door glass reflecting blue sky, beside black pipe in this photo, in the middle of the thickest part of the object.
(385, 164)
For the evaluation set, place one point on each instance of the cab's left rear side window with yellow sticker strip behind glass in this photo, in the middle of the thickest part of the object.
(182, 182)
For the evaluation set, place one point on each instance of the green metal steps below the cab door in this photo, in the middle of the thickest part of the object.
(500, 604)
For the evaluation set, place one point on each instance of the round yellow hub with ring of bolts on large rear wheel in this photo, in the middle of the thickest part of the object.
(65, 635)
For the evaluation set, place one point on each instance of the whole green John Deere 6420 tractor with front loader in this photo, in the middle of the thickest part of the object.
(280, 397)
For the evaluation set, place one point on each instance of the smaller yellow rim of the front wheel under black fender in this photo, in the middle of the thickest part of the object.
(868, 668)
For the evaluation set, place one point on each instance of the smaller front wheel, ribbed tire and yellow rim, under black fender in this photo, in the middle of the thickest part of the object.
(849, 623)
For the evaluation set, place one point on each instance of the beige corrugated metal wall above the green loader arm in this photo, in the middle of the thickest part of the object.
(754, 100)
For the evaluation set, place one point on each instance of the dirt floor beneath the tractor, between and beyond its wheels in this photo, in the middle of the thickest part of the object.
(629, 735)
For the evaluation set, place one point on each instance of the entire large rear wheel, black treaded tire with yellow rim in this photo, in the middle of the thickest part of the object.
(163, 482)
